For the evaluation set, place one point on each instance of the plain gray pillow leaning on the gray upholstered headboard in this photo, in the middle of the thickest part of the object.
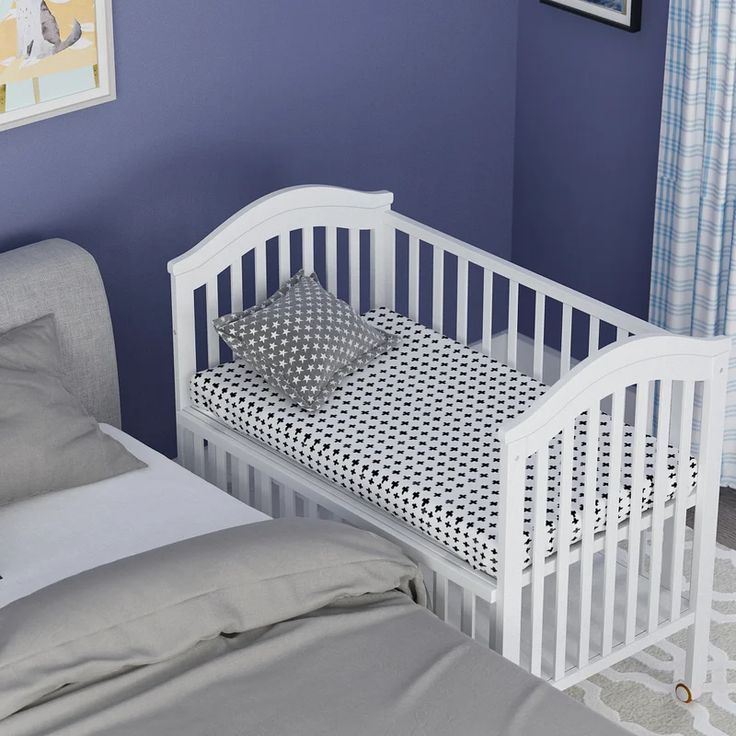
(47, 440)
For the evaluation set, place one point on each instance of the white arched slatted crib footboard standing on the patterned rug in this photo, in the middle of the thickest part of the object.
(613, 441)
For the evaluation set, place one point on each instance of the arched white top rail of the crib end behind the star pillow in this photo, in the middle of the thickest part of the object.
(272, 206)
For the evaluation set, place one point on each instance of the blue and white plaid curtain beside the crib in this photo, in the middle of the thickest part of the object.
(693, 287)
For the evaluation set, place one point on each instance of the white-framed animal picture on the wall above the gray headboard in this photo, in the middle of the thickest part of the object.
(56, 56)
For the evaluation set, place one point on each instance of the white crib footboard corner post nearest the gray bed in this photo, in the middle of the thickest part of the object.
(510, 553)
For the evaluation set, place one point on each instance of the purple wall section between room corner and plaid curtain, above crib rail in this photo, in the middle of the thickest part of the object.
(587, 132)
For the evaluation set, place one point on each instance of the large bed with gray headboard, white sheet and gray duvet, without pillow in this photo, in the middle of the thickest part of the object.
(153, 602)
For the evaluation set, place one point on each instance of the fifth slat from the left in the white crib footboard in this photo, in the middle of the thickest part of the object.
(634, 532)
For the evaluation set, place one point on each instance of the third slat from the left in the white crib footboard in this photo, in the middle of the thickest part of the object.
(588, 522)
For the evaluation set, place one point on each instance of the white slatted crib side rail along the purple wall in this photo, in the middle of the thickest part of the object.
(510, 313)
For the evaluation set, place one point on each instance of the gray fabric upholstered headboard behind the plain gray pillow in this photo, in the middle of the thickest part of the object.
(58, 277)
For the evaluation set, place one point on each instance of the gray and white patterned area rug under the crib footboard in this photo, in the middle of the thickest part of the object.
(639, 692)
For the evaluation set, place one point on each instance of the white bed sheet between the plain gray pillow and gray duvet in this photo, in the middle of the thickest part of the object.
(51, 537)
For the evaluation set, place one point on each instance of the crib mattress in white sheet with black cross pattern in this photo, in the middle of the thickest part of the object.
(414, 434)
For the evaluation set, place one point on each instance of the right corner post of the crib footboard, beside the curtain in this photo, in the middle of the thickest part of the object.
(706, 524)
